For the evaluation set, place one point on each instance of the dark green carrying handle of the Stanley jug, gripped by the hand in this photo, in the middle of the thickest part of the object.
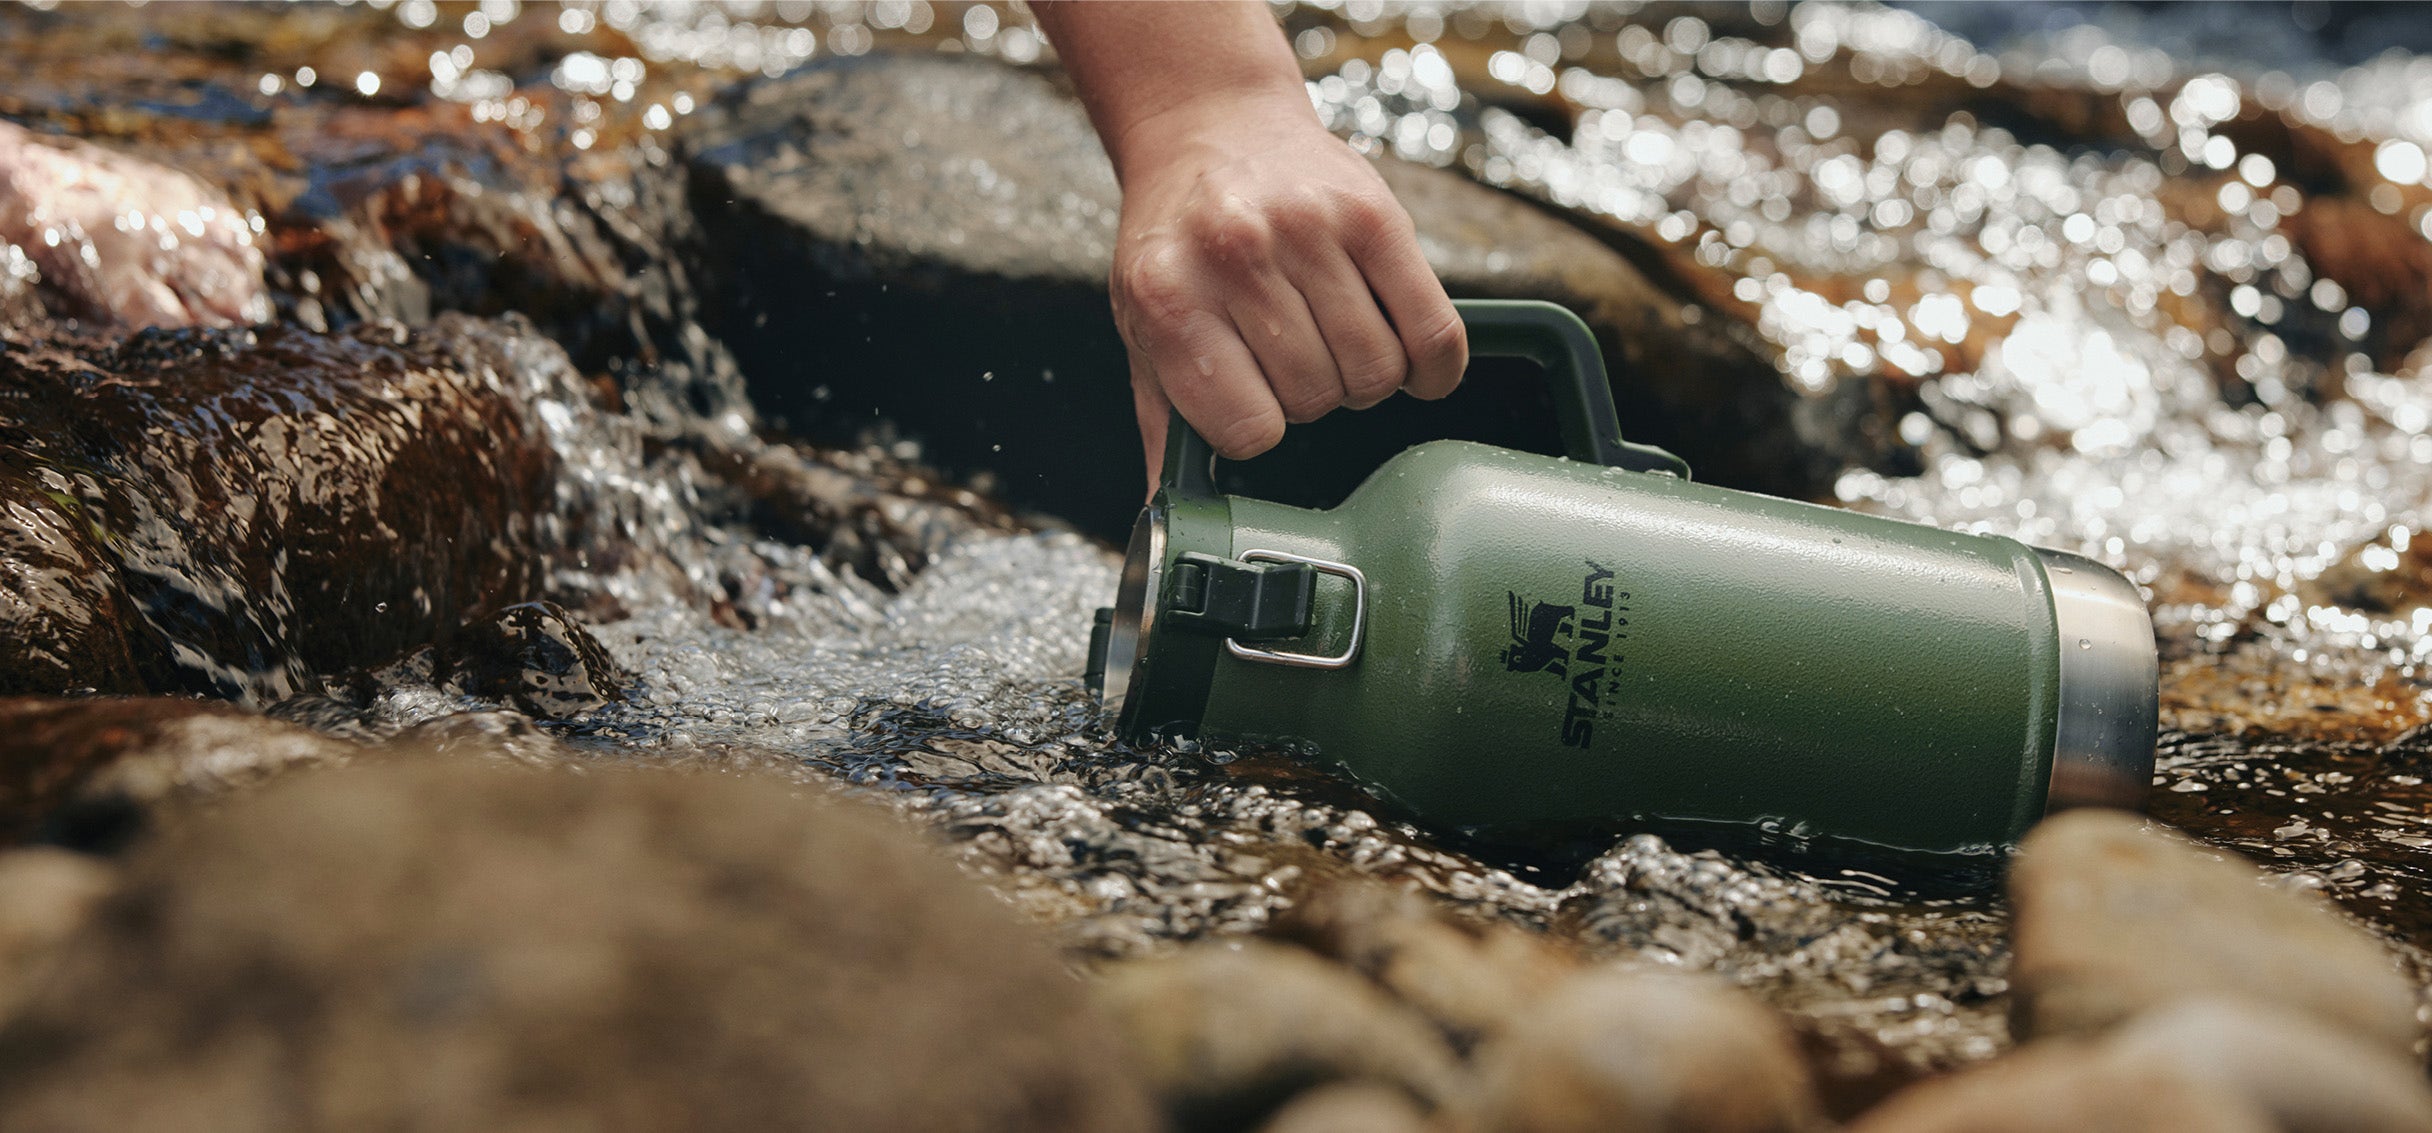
(1541, 332)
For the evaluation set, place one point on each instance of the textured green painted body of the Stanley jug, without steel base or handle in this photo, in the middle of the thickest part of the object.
(1772, 663)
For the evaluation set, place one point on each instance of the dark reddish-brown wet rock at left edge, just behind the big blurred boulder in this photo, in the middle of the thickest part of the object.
(84, 772)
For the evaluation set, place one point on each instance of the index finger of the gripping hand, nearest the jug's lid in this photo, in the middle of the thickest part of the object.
(1205, 368)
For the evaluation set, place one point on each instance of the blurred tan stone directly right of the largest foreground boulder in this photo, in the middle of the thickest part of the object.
(1229, 1030)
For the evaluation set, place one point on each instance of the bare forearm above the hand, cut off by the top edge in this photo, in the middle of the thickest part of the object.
(1149, 69)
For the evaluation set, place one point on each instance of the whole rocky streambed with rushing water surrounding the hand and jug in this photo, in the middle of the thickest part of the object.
(531, 529)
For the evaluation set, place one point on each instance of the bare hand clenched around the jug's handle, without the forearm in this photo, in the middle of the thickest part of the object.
(1263, 276)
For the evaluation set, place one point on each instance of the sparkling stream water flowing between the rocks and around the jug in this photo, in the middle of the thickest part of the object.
(2119, 300)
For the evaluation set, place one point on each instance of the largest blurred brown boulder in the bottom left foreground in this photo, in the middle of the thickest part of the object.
(451, 945)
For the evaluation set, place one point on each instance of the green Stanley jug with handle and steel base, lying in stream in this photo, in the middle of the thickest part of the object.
(1514, 643)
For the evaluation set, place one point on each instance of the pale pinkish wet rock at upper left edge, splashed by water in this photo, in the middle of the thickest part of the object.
(193, 259)
